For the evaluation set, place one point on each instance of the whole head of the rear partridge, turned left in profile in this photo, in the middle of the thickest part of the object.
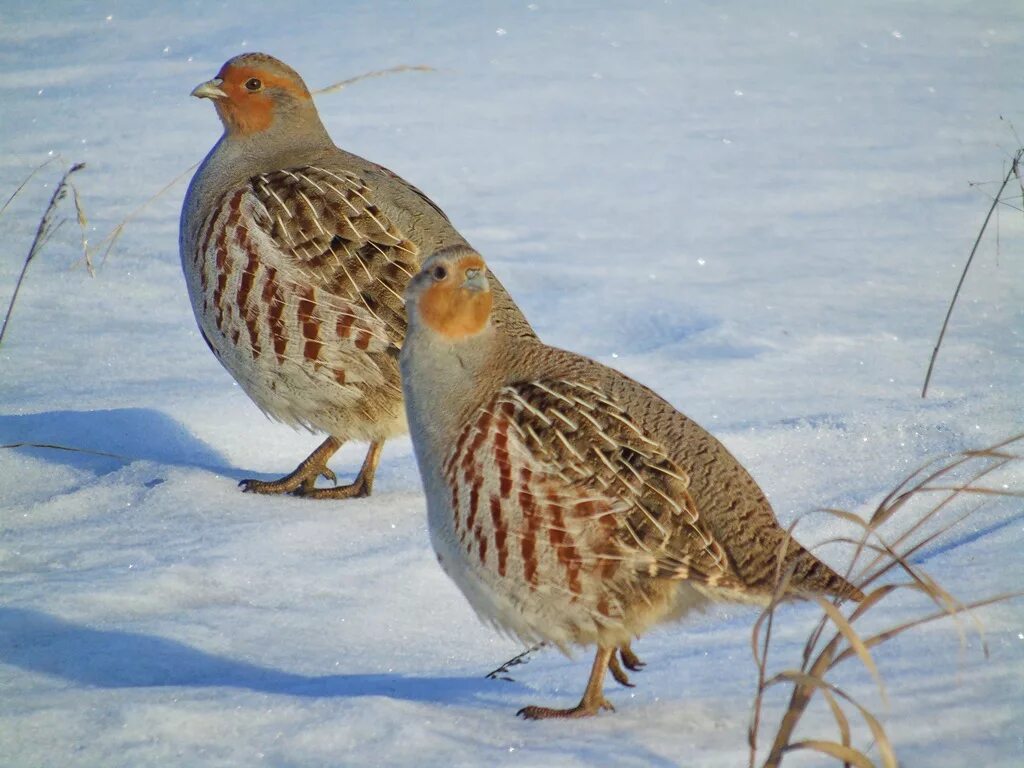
(254, 92)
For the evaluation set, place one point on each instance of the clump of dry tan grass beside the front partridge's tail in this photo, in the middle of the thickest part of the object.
(875, 557)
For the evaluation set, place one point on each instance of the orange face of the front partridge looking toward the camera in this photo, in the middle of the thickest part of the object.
(457, 301)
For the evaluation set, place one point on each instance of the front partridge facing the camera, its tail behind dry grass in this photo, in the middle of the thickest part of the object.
(571, 504)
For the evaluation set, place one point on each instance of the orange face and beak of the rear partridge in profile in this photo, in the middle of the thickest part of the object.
(246, 96)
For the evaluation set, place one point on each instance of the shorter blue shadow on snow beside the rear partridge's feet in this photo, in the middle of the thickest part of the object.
(125, 435)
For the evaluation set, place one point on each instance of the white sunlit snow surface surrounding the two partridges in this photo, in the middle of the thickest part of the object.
(760, 211)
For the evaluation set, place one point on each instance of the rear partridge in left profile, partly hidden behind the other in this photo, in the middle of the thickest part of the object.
(296, 254)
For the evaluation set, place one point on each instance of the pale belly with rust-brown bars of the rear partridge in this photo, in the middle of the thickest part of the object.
(306, 357)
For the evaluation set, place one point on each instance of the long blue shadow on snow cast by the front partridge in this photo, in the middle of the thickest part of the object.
(38, 643)
